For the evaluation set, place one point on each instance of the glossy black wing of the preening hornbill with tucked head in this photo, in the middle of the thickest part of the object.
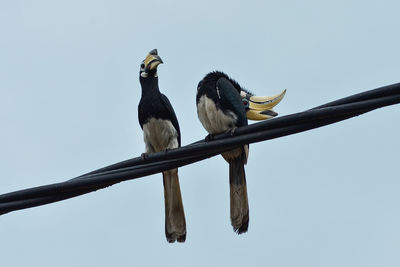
(230, 99)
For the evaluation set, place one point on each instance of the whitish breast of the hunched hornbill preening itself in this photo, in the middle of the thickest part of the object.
(214, 119)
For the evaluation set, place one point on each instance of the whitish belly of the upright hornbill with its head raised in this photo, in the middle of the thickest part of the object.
(159, 135)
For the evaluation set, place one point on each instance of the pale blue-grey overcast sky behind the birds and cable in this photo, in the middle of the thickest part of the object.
(69, 91)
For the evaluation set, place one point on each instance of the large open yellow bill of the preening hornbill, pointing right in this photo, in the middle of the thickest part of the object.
(260, 107)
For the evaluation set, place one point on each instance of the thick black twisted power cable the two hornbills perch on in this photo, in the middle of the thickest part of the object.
(322, 115)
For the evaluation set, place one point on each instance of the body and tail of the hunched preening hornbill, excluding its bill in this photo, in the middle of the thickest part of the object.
(220, 109)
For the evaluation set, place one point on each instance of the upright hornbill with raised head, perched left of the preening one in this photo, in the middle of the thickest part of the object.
(161, 132)
